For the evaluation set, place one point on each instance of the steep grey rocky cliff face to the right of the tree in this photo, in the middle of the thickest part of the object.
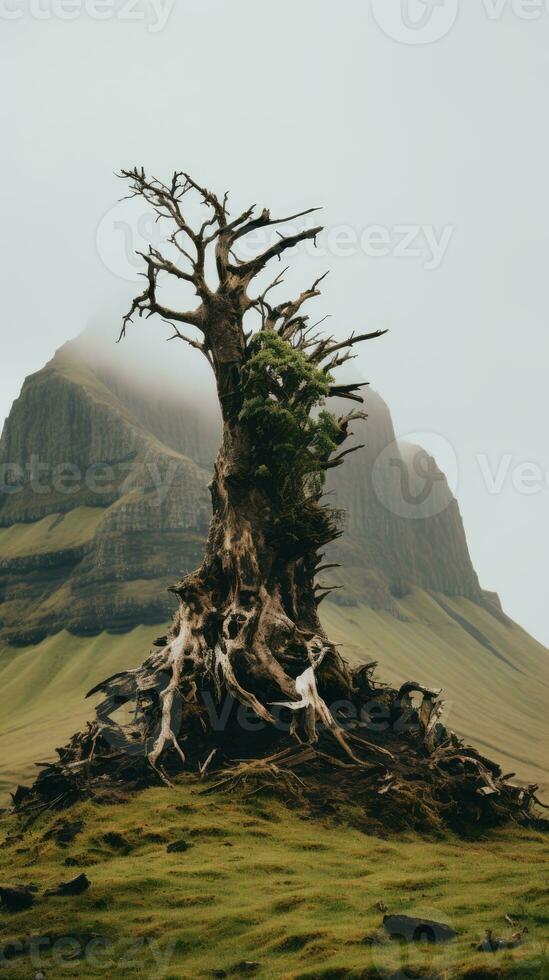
(403, 526)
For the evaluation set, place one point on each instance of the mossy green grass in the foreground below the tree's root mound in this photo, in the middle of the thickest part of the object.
(268, 884)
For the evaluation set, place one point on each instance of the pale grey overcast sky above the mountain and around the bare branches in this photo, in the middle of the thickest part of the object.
(421, 129)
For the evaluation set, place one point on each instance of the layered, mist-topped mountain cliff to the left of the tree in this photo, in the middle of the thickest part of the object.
(83, 519)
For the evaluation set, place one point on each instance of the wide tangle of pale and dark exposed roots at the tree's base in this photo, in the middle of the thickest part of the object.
(411, 772)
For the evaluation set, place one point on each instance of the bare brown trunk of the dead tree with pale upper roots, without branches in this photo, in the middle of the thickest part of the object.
(248, 617)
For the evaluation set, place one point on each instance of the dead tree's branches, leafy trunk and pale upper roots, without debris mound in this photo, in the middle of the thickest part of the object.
(248, 617)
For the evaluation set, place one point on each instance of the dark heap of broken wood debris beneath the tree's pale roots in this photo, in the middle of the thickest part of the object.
(390, 756)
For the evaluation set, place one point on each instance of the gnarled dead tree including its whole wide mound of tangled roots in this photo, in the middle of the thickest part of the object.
(247, 629)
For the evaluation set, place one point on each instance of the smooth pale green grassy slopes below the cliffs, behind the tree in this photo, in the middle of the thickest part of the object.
(495, 677)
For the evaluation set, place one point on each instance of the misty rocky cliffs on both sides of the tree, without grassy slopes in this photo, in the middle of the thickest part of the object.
(105, 503)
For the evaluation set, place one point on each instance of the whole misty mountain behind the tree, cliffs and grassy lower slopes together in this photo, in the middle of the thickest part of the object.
(106, 503)
